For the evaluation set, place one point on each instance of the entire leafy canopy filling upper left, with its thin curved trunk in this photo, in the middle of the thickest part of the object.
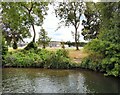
(18, 17)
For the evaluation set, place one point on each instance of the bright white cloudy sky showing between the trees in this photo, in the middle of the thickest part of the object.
(51, 24)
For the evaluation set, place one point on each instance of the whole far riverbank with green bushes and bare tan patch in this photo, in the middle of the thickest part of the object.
(50, 58)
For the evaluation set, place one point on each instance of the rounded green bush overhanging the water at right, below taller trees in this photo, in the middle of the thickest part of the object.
(103, 56)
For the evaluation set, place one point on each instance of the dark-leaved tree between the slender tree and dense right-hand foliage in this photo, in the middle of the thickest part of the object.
(92, 24)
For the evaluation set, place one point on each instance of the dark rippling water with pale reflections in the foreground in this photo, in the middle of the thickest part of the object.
(22, 80)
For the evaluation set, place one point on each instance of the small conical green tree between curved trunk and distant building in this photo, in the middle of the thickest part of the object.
(43, 38)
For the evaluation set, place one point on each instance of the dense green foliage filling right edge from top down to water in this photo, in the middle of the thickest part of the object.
(104, 52)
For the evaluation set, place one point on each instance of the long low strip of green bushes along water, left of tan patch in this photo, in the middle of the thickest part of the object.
(38, 58)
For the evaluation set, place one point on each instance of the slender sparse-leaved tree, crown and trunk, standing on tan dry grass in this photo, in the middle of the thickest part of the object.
(70, 13)
